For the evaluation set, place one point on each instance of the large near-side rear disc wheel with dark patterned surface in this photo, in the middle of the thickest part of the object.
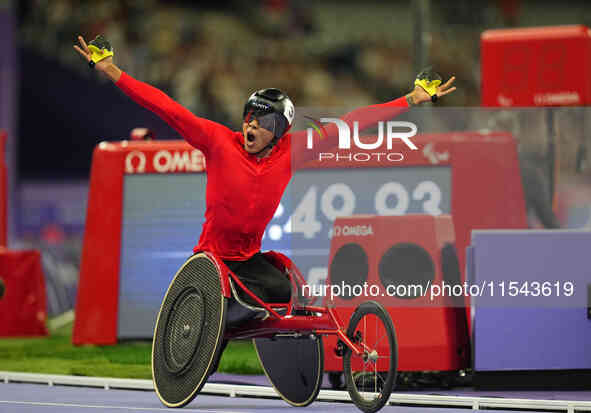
(189, 332)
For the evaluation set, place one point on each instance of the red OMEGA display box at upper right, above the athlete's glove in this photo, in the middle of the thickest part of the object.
(537, 66)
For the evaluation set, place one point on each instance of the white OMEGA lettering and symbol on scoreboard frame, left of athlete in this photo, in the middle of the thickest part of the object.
(165, 161)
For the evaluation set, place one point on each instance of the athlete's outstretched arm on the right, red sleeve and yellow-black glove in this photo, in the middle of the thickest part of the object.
(365, 117)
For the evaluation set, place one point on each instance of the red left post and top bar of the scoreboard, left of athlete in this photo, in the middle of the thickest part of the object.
(98, 289)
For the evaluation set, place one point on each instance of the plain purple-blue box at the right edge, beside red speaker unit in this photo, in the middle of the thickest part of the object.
(525, 333)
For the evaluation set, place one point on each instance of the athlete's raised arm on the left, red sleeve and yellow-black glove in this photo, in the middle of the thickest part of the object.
(197, 131)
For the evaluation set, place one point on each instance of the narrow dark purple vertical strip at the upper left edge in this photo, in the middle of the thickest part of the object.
(8, 102)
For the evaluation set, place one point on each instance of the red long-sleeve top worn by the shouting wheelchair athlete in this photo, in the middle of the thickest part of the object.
(242, 191)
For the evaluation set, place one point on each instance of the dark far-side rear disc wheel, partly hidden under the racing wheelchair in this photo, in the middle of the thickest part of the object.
(294, 366)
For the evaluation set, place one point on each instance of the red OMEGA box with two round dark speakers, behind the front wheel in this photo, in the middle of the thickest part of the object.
(402, 250)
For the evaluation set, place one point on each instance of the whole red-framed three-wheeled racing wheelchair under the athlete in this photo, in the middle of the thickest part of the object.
(204, 305)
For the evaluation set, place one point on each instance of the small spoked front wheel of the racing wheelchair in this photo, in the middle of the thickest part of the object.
(370, 377)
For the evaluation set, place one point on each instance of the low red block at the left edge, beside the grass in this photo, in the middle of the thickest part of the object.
(23, 308)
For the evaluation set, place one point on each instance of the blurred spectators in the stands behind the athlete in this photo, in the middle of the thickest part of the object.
(324, 54)
